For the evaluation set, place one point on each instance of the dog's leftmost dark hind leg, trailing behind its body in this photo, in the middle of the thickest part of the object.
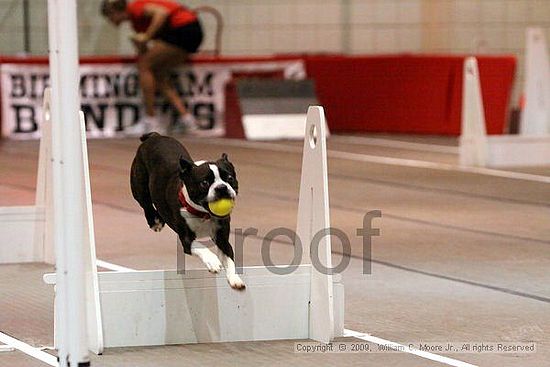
(139, 182)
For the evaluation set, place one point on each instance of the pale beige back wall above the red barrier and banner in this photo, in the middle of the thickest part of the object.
(286, 26)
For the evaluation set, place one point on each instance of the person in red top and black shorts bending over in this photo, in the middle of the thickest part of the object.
(167, 33)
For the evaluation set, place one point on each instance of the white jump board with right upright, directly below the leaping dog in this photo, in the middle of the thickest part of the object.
(162, 307)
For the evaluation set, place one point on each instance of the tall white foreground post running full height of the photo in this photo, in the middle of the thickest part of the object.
(68, 182)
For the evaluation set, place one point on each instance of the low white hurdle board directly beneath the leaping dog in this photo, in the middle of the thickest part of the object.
(163, 307)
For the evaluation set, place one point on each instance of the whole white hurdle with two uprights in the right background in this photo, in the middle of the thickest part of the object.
(530, 148)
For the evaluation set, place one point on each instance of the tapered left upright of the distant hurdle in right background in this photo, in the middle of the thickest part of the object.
(473, 138)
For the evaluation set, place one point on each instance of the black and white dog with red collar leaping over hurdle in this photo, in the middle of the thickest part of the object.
(173, 189)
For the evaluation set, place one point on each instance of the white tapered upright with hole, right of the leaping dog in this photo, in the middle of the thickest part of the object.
(314, 222)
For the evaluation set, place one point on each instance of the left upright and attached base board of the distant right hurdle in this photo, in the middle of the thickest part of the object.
(479, 149)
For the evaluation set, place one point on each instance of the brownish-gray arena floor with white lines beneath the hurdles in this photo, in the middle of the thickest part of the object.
(462, 257)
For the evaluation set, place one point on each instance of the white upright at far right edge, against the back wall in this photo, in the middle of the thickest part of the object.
(535, 118)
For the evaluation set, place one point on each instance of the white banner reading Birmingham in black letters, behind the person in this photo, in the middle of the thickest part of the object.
(111, 96)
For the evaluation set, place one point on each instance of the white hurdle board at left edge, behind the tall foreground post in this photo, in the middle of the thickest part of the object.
(20, 240)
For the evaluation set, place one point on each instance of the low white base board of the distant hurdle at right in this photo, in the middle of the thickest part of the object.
(511, 150)
